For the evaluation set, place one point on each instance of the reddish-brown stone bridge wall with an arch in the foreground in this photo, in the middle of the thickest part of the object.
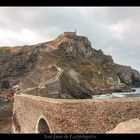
(72, 116)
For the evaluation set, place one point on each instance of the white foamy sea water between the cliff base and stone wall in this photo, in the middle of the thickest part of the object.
(118, 95)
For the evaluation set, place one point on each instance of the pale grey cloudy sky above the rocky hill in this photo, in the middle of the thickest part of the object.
(115, 30)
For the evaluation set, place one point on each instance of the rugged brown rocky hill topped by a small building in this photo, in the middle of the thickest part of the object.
(86, 71)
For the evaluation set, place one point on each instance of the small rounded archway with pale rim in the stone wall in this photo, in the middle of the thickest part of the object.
(42, 125)
